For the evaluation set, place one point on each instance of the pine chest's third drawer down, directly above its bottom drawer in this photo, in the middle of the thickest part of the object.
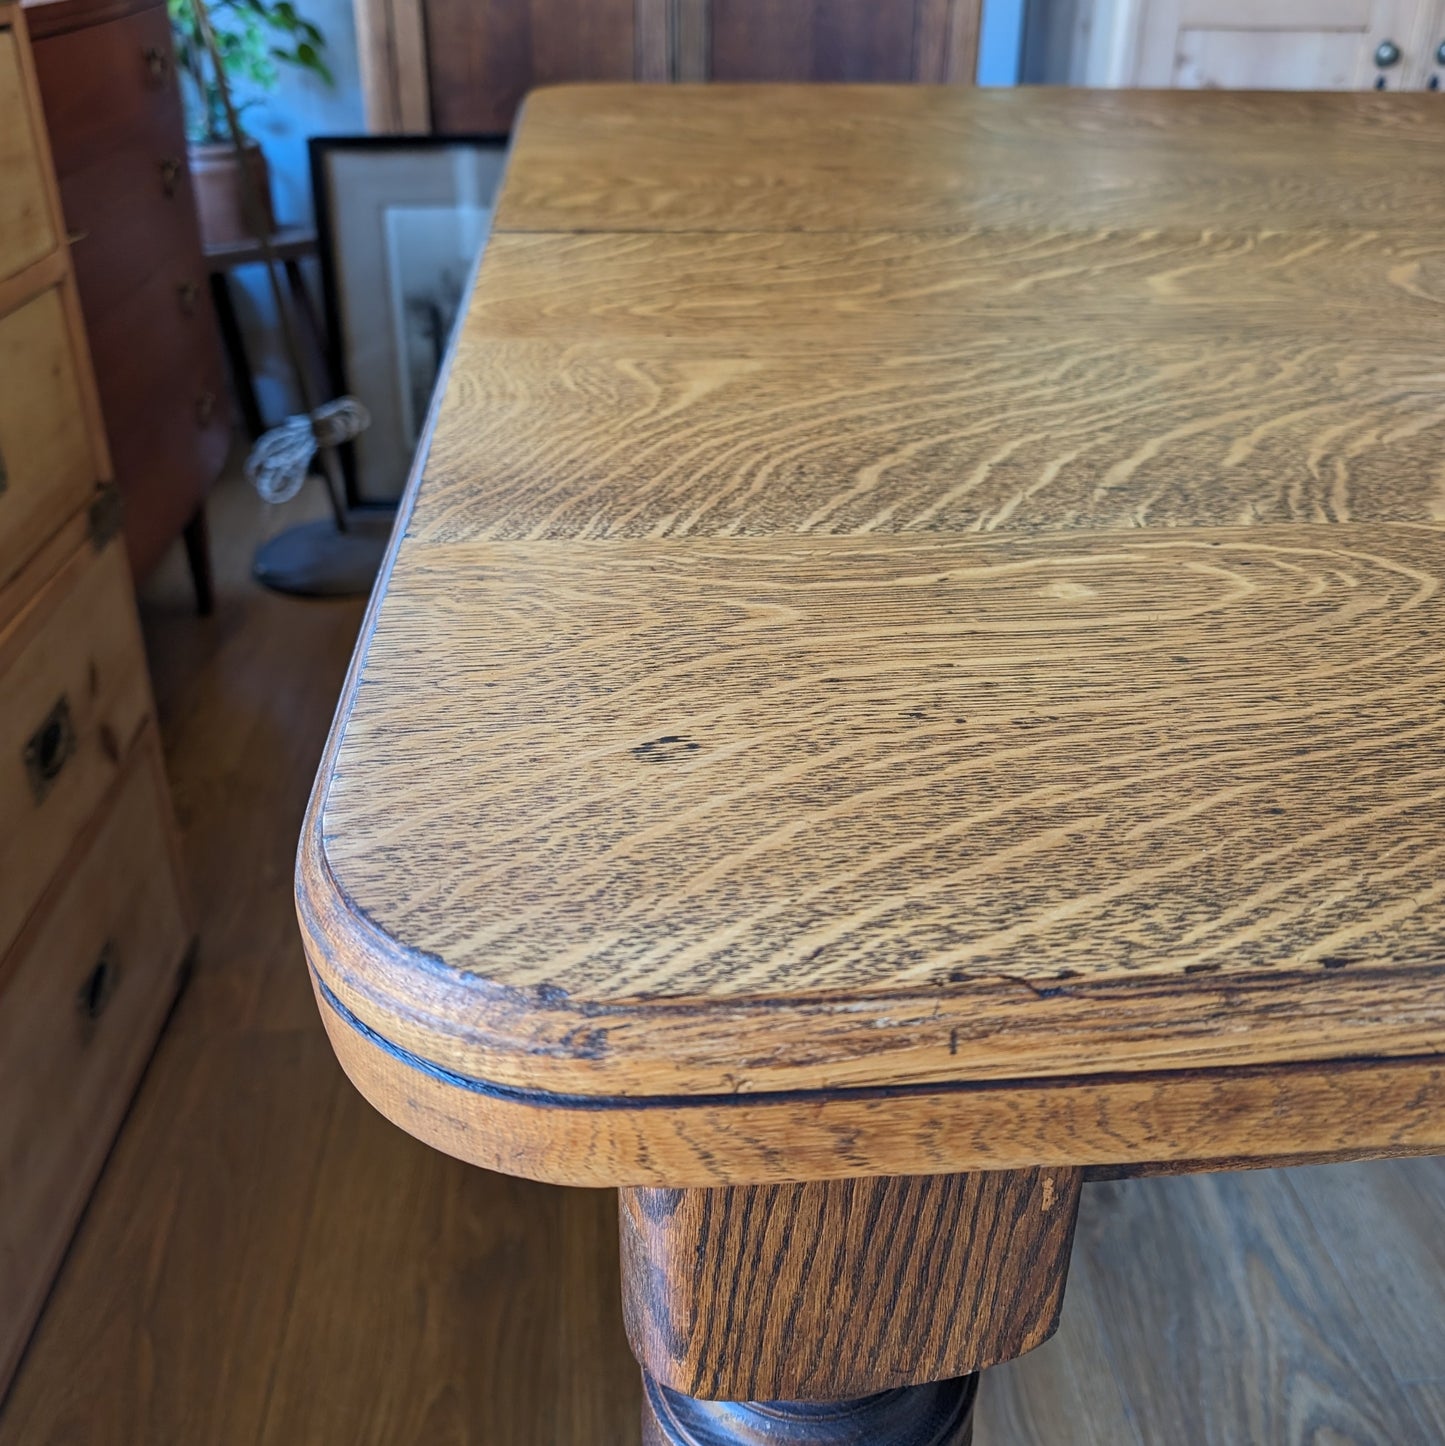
(73, 698)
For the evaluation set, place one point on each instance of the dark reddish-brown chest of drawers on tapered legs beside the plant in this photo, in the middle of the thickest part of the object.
(112, 102)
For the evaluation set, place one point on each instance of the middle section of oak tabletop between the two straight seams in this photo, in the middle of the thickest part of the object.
(746, 385)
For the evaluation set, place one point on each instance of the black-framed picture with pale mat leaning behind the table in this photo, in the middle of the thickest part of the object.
(400, 225)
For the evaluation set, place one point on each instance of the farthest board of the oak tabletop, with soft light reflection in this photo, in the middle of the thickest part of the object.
(909, 158)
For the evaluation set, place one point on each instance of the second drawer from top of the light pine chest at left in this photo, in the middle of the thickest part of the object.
(46, 452)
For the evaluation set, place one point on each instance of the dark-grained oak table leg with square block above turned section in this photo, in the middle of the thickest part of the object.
(840, 1311)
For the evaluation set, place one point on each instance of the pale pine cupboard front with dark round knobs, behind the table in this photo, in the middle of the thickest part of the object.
(1278, 44)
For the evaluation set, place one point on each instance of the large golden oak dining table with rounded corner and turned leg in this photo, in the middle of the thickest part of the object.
(911, 675)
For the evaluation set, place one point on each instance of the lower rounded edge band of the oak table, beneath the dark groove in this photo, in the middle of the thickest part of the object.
(1193, 1117)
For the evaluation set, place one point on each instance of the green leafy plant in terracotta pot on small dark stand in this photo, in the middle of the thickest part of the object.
(255, 40)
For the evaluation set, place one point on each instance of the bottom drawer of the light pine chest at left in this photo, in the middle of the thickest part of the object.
(82, 1001)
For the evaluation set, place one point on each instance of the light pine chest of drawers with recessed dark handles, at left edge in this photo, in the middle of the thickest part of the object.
(93, 923)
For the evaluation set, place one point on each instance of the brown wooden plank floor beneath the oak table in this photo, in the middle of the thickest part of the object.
(268, 1262)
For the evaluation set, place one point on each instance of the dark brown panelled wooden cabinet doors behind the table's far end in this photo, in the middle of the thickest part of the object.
(484, 56)
